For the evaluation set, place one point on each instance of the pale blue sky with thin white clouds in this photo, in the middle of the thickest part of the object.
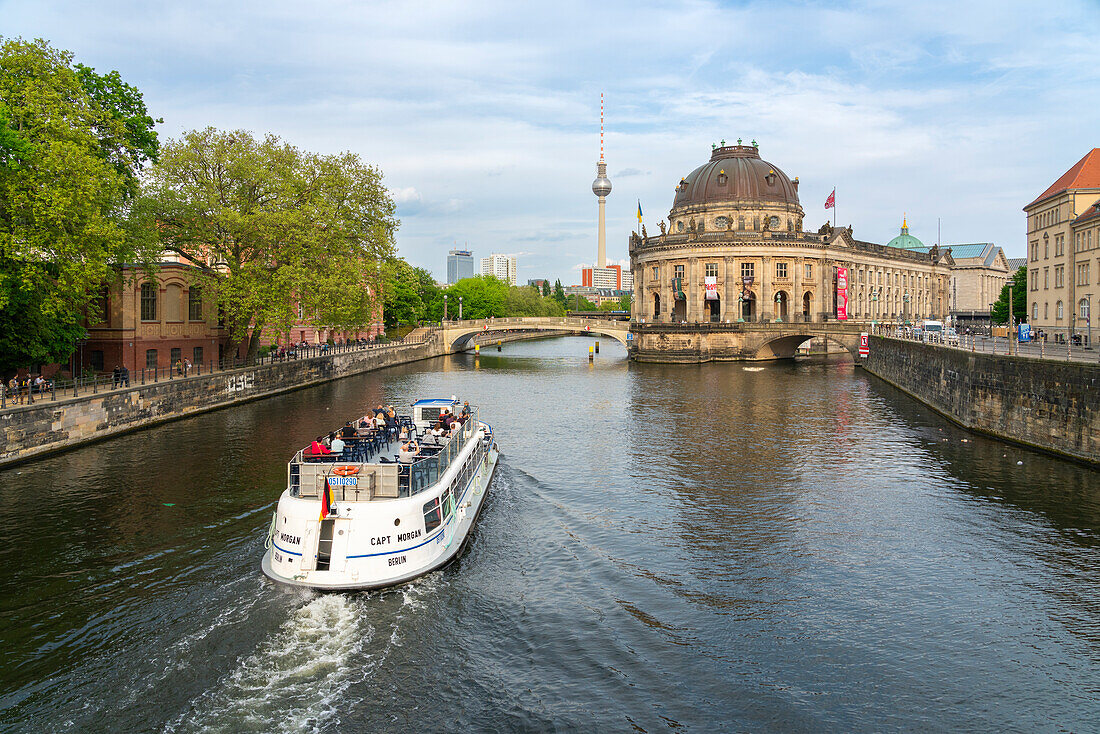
(485, 117)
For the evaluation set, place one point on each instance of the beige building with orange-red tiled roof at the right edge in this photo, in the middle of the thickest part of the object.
(1064, 253)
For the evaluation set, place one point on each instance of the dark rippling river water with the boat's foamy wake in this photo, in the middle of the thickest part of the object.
(720, 547)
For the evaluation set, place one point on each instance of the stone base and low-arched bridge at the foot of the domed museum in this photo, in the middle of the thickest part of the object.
(705, 343)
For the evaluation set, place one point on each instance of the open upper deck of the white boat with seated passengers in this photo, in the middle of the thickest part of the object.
(403, 457)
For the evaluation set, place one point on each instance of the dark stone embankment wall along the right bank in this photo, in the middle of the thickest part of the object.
(1047, 404)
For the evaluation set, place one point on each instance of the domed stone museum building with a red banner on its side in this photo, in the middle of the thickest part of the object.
(734, 250)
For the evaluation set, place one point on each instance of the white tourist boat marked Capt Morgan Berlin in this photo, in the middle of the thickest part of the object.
(366, 521)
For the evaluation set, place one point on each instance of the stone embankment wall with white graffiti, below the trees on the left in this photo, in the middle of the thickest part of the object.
(31, 431)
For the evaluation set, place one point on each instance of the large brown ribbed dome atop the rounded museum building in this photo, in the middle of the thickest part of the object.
(736, 173)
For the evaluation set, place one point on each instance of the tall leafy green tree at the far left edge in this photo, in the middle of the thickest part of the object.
(64, 180)
